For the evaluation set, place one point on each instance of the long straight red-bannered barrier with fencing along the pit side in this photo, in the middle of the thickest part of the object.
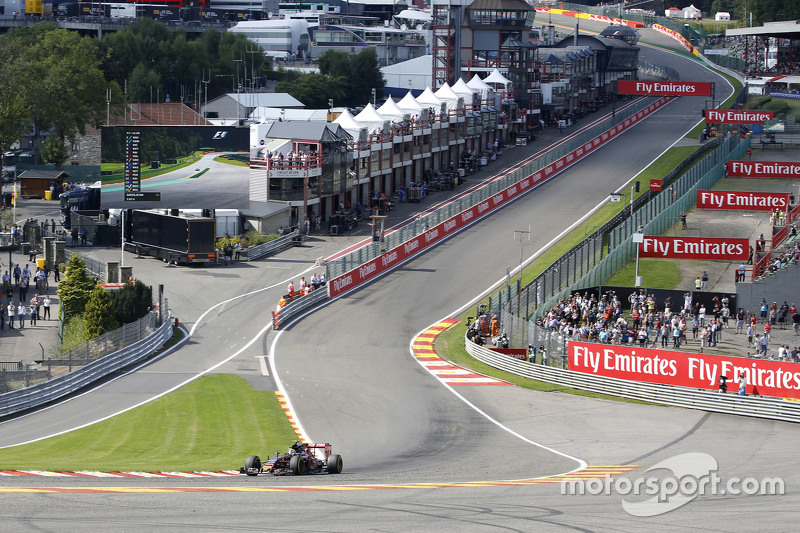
(455, 216)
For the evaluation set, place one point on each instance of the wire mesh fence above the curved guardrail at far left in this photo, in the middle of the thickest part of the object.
(16, 375)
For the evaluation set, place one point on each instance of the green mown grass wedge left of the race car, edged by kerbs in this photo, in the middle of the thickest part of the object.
(213, 423)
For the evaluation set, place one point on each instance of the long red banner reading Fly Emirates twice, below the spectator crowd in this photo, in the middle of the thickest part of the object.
(698, 371)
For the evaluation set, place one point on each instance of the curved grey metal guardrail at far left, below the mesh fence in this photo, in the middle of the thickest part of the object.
(18, 401)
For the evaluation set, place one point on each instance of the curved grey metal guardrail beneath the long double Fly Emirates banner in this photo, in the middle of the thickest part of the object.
(732, 404)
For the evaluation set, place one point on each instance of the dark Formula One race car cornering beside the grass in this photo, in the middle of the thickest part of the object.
(302, 458)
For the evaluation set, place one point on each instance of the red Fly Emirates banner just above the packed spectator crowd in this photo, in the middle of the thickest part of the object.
(695, 248)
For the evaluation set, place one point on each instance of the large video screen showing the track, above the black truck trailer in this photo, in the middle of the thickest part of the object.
(151, 167)
